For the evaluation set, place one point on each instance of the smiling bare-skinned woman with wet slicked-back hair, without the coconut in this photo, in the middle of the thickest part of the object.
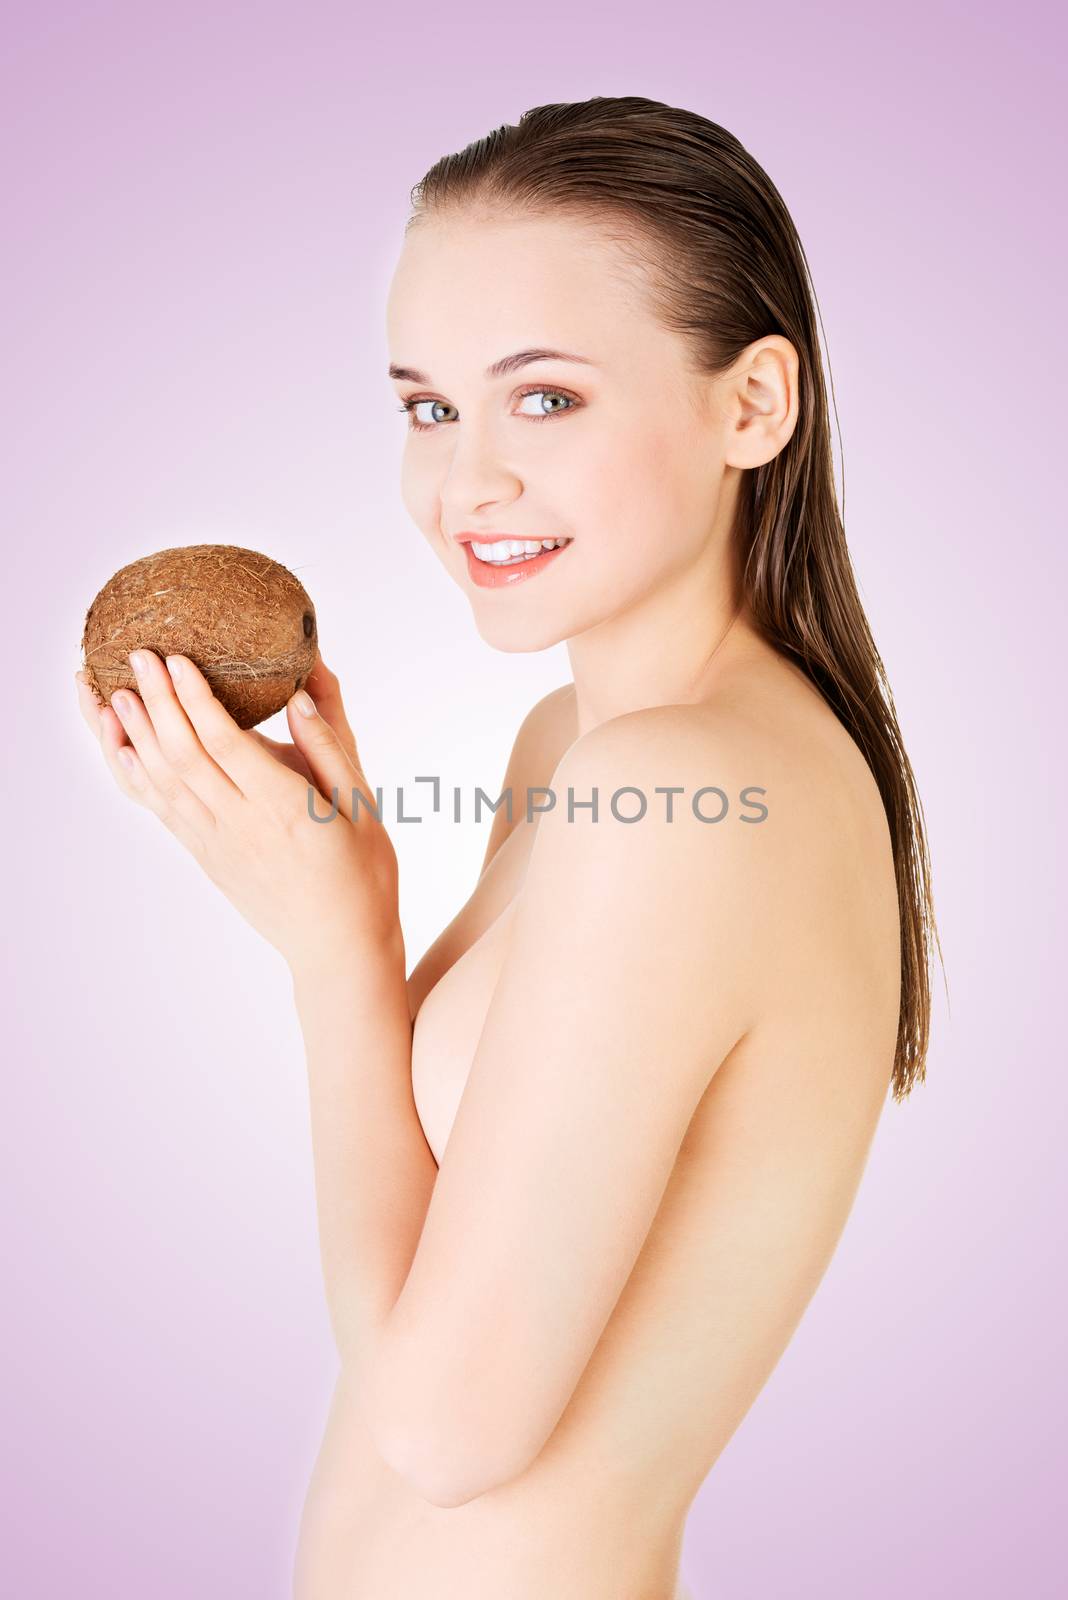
(581, 1174)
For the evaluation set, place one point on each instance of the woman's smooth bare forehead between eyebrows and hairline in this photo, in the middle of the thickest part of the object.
(485, 287)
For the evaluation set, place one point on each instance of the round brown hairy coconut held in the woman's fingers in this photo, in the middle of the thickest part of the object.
(242, 618)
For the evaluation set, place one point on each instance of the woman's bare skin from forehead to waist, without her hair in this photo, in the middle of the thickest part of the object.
(647, 1063)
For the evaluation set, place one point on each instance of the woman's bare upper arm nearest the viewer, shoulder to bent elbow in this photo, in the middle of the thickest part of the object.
(624, 986)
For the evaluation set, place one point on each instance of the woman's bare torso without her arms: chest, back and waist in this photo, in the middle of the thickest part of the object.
(754, 1210)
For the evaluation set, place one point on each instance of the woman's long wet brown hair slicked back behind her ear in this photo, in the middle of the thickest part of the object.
(727, 268)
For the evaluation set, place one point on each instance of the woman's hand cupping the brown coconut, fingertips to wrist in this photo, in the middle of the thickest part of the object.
(322, 892)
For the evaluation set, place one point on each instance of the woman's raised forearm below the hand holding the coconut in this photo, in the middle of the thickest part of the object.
(373, 1169)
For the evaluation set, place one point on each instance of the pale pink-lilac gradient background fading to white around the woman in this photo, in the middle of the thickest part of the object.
(204, 207)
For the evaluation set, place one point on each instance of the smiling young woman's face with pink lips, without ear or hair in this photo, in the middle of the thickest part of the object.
(621, 454)
